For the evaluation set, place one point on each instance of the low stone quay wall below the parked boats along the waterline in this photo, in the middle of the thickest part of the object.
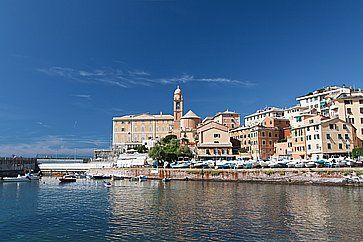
(322, 176)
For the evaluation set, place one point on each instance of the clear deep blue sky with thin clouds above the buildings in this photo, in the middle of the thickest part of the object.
(68, 67)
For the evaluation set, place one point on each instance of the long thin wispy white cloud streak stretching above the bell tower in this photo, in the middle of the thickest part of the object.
(130, 78)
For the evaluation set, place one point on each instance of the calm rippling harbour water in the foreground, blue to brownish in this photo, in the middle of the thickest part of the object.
(183, 210)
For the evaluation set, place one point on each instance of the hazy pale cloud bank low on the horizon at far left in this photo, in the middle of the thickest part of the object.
(65, 145)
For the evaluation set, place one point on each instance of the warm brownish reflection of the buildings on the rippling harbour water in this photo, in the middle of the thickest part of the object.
(233, 211)
